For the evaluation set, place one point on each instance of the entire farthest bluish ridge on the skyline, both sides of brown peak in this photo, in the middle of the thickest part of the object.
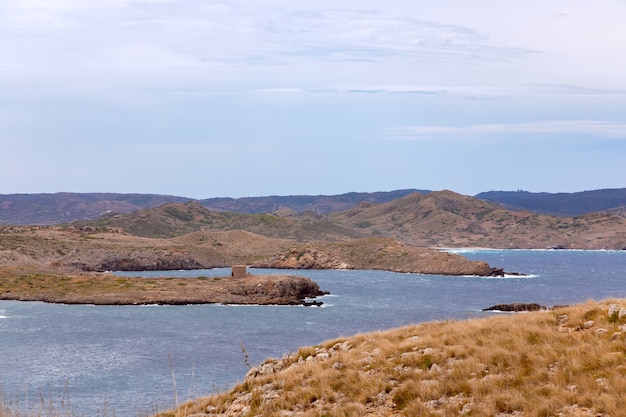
(58, 208)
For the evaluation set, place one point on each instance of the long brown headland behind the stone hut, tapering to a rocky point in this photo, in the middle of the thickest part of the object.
(72, 250)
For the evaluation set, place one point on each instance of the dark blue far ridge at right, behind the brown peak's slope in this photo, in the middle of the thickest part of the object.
(559, 204)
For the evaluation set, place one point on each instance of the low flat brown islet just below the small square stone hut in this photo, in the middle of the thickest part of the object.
(106, 289)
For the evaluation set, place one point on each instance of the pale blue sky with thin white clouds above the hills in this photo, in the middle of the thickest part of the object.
(201, 98)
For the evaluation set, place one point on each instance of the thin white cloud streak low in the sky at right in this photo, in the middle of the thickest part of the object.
(607, 129)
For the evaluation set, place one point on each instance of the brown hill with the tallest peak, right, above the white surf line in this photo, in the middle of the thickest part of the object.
(449, 219)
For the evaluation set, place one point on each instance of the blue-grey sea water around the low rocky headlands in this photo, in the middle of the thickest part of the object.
(85, 360)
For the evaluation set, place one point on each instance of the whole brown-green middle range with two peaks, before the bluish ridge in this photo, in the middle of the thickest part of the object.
(439, 218)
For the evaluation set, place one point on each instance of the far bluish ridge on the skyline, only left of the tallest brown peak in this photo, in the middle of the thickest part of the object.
(50, 209)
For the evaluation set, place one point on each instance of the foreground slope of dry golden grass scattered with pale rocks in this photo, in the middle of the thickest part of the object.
(566, 362)
